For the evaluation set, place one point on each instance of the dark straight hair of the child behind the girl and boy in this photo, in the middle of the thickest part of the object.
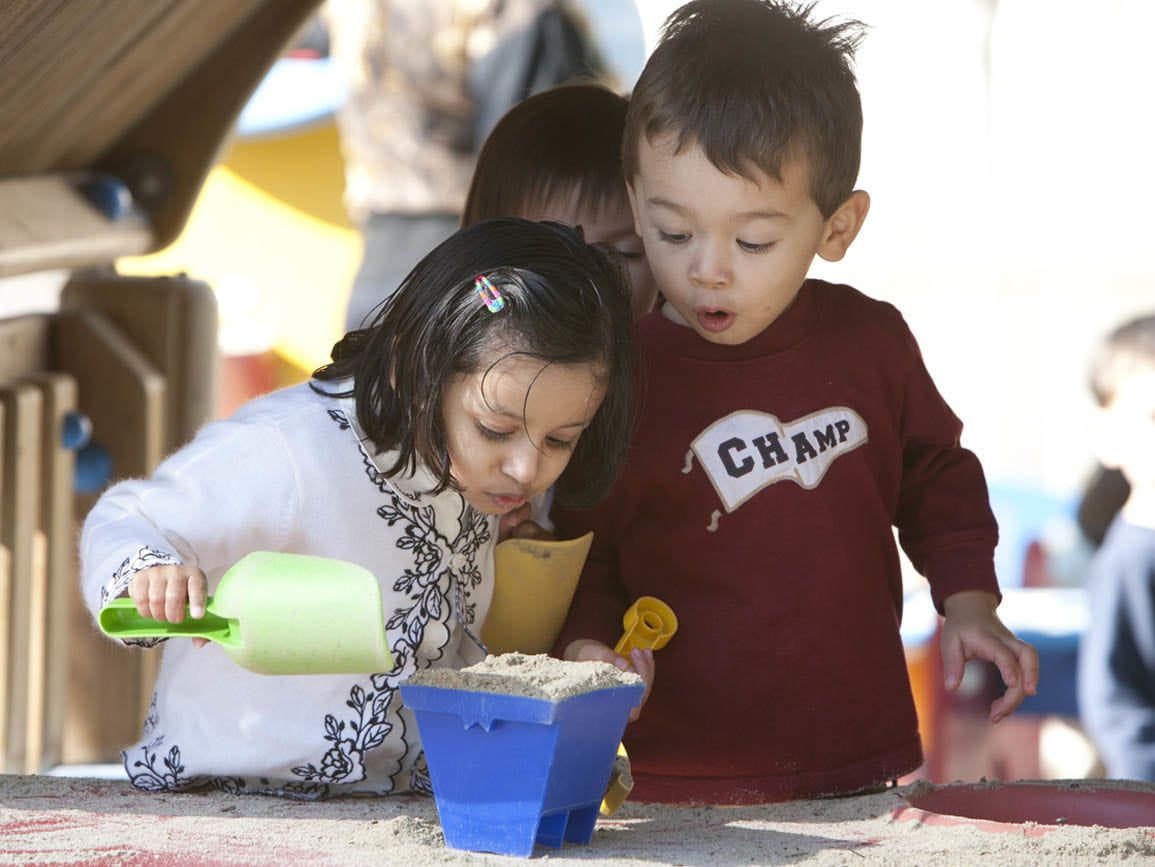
(548, 146)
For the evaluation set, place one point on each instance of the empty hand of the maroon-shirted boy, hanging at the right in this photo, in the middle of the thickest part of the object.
(973, 631)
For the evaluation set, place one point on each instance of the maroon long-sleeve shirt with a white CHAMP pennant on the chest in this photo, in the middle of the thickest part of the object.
(758, 502)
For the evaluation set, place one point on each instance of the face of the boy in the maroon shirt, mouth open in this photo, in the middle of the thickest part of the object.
(729, 255)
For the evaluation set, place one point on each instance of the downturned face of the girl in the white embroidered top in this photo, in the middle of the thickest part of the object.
(512, 430)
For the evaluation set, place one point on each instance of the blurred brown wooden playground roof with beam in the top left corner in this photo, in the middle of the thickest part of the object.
(143, 92)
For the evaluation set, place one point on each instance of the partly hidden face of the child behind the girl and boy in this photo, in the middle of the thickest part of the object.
(613, 225)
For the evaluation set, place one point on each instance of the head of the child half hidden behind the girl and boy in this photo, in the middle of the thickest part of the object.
(557, 155)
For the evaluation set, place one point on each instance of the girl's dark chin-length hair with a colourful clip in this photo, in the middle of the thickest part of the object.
(565, 302)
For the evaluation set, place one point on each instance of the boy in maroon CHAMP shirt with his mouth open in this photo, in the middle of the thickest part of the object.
(788, 425)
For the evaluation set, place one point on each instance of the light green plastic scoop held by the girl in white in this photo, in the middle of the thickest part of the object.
(278, 614)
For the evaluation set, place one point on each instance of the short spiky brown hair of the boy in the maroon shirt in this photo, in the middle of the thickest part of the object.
(755, 84)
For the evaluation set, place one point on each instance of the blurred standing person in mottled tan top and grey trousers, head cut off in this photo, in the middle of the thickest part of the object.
(427, 81)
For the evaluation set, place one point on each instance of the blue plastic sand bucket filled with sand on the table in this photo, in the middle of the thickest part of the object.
(511, 772)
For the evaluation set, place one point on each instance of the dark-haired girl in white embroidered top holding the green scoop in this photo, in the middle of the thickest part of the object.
(449, 412)
